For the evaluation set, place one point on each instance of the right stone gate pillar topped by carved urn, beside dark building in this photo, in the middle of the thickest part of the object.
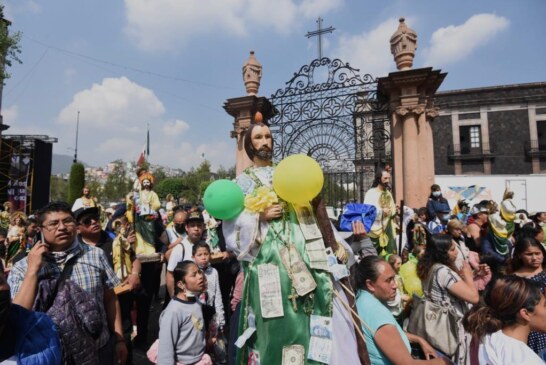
(411, 93)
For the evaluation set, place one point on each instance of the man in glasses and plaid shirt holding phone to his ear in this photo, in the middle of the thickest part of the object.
(87, 268)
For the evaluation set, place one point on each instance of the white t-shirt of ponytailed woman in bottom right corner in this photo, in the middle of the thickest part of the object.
(499, 349)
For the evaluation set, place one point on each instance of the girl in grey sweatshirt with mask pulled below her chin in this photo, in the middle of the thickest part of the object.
(181, 325)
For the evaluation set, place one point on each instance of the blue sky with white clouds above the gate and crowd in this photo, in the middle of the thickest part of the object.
(172, 64)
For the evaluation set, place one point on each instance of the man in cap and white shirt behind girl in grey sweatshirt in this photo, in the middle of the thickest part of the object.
(195, 226)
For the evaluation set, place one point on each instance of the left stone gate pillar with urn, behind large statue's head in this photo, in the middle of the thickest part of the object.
(247, 109)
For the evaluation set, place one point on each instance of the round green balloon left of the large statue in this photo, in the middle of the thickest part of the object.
(224, 199)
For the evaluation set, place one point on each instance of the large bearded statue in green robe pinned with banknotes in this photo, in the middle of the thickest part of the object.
(291, 306)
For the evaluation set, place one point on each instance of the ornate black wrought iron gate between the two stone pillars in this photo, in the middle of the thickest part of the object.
(341, 122)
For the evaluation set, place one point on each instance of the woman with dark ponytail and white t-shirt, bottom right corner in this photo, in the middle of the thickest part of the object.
(513, 307)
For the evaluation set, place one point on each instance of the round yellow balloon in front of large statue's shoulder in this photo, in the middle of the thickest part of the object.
(298, 179)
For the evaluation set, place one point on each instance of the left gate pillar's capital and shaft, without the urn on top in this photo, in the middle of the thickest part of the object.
(243, 110)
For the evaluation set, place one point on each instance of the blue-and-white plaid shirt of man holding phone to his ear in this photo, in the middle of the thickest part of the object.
(91, 272)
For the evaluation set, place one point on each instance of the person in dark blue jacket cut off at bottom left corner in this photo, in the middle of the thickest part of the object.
(26, 337)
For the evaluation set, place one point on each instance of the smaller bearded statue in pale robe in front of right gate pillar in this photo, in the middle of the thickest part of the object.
(382, 232)
